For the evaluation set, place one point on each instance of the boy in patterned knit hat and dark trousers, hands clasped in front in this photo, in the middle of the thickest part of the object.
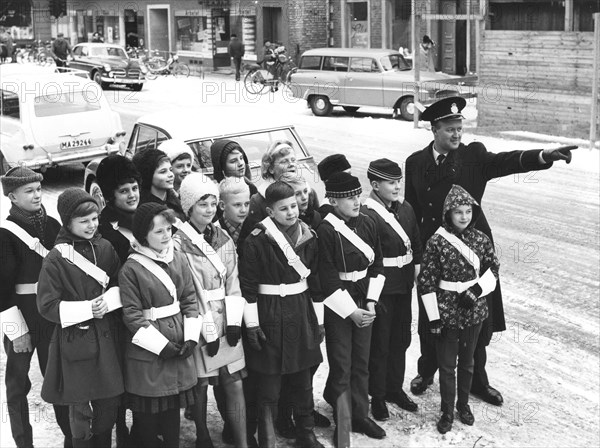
(351, 273)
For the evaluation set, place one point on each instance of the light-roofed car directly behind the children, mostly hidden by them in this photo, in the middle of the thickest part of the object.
(200, 127)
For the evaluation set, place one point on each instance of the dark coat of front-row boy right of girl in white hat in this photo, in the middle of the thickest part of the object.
(289, 322)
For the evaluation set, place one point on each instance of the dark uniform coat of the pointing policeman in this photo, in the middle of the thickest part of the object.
(471, 167)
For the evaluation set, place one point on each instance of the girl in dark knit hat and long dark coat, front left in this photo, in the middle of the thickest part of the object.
(84, 363)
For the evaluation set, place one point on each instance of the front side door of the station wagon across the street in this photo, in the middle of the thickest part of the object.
(363, 85)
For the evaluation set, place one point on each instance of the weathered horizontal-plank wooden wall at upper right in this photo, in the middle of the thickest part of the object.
(538, 81)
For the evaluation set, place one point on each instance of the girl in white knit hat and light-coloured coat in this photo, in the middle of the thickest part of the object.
(213, 261)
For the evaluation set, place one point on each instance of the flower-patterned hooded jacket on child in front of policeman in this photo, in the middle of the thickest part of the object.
(443, 261)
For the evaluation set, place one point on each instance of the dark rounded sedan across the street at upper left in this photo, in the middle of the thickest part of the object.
(108, 64)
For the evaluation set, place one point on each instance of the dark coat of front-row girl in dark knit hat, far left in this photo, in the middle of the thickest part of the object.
(83, 365)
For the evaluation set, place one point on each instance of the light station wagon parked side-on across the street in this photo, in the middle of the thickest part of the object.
(359, 77)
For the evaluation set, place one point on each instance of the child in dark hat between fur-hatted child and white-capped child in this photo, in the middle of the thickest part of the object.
(158, 180)
